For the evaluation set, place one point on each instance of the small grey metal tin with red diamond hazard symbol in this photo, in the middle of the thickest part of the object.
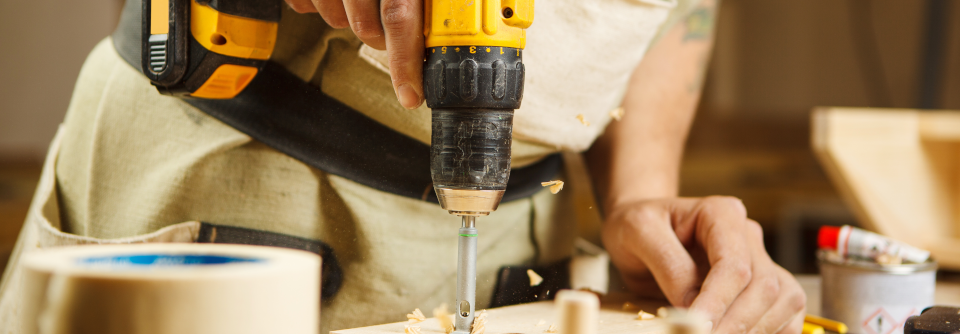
(871, 298)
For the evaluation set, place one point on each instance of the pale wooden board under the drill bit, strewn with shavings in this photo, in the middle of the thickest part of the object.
(535, 318)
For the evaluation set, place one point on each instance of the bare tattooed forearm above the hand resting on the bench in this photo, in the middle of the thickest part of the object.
(639, 156)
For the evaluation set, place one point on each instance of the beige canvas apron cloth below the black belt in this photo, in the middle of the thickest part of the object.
(170, 166)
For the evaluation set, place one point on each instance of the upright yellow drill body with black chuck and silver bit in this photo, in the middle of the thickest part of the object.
(473, 81)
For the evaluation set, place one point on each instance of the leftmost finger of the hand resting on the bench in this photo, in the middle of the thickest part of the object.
(660, 249)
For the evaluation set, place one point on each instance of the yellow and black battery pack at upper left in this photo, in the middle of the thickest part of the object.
(206, 48)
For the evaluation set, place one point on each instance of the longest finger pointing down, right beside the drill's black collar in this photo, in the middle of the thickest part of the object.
(403, 27)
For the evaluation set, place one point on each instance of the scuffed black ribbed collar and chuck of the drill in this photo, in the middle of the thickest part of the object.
(473, 91)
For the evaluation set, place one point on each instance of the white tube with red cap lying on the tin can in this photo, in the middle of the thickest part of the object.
(851, 241)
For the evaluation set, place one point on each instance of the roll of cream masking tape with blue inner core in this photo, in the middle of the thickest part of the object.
(170, 288)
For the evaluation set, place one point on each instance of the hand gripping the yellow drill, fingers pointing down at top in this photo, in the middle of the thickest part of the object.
(393, 25)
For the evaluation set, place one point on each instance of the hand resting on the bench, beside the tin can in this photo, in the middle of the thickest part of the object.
(705, 254)
